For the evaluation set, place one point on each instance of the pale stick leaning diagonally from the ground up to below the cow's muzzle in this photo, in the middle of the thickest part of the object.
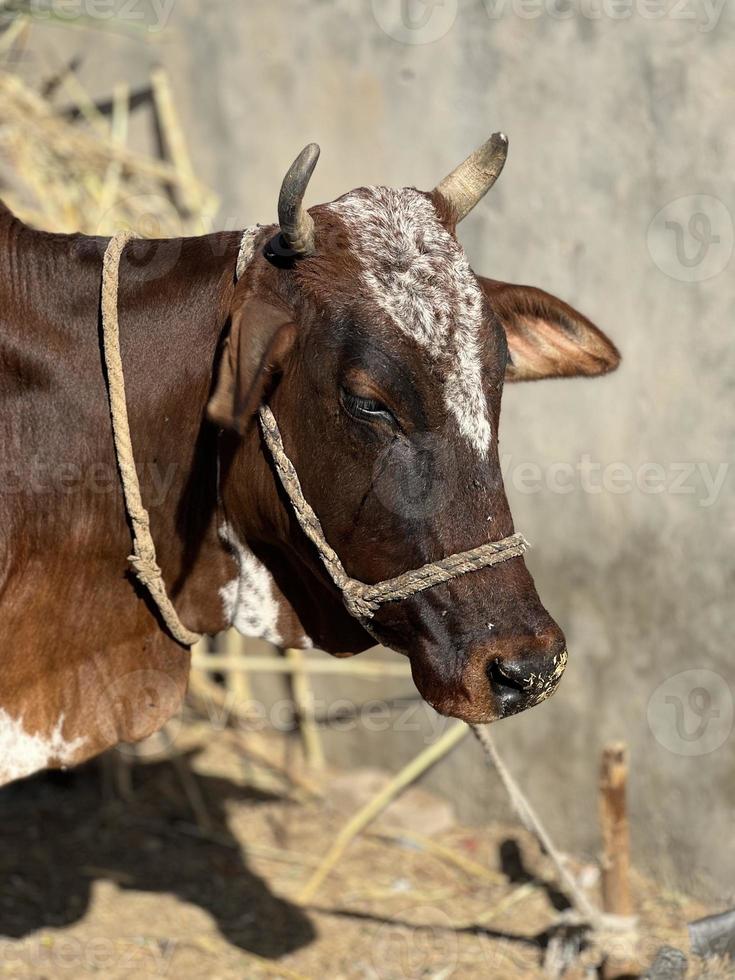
(423, 761)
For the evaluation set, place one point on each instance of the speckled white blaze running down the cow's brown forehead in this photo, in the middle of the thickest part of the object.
(420, 278)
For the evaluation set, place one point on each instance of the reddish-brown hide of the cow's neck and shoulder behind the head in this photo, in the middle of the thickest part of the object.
(83, 653)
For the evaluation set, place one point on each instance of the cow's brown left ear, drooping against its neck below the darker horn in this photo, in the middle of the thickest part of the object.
(260, 337)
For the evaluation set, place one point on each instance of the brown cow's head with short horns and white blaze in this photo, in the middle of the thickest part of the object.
(383, 357)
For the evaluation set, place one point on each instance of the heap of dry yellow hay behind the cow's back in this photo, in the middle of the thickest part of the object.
(78, 175)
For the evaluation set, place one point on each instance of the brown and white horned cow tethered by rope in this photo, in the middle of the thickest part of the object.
(382, 357)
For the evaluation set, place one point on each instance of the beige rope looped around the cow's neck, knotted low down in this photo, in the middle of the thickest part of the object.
(143, 559)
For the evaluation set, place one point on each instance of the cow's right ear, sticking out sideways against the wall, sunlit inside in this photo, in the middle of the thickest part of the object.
(547, 338)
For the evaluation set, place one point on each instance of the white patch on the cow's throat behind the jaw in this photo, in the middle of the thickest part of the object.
(250, 605)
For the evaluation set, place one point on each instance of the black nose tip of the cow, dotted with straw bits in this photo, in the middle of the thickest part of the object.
(523, 681)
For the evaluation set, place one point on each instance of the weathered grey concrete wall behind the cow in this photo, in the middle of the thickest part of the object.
(614, 114)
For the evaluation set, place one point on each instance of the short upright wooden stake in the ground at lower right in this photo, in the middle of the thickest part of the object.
(615, 859)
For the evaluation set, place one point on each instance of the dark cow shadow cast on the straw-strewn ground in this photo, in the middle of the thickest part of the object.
(59, 837)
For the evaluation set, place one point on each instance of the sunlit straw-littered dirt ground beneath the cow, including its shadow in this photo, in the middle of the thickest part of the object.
(93, 885)
